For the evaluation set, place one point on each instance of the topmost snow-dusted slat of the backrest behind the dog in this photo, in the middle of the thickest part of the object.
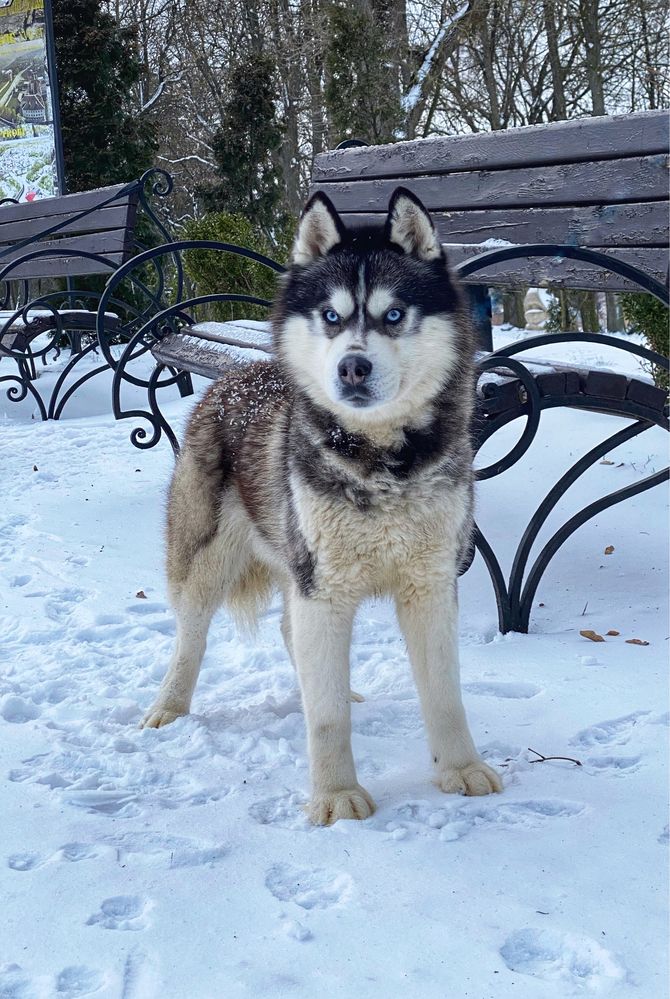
(639, 134)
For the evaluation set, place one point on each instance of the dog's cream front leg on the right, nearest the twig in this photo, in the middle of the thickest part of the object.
(428, 617)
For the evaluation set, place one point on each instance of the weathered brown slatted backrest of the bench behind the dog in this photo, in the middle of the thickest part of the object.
(600, 183)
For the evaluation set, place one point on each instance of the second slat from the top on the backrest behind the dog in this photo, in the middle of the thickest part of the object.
(592, 183)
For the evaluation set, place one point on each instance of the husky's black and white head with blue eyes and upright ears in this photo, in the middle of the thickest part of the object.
(365, 319)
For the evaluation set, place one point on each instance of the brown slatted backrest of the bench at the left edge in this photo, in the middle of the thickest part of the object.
(106, 231)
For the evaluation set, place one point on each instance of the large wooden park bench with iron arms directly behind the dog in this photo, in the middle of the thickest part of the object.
(581, 204)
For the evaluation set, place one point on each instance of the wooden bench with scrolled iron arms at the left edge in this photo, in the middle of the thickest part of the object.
(49, 243)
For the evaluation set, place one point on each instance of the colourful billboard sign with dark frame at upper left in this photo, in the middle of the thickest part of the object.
(27, 133)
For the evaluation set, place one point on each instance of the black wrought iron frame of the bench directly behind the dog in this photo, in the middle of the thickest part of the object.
(523, 391)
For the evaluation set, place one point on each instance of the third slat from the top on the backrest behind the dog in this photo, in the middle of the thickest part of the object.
(635, 224)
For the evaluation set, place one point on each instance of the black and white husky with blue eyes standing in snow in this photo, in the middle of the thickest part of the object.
(338, 471)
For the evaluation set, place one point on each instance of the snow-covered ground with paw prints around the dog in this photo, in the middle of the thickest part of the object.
(178, 863)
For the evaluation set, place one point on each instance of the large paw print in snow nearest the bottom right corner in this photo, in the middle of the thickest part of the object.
(576, 962)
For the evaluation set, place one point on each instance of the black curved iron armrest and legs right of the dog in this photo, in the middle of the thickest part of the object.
(515, 594)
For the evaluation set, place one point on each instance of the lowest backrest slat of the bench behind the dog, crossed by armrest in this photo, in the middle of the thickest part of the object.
(542, 272)
